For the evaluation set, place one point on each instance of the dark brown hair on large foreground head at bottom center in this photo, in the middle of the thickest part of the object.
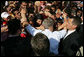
(40, 44)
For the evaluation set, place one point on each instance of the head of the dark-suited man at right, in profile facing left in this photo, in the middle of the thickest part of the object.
(73, 23)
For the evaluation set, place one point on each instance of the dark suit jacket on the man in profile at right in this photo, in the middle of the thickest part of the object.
(69, 45)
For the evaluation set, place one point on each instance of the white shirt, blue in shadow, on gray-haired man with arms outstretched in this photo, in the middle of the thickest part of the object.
(54, 37)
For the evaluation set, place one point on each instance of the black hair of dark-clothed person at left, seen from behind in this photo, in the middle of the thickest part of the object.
(13, 26)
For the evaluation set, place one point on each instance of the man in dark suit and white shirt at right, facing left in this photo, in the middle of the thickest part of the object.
(69, 45)
